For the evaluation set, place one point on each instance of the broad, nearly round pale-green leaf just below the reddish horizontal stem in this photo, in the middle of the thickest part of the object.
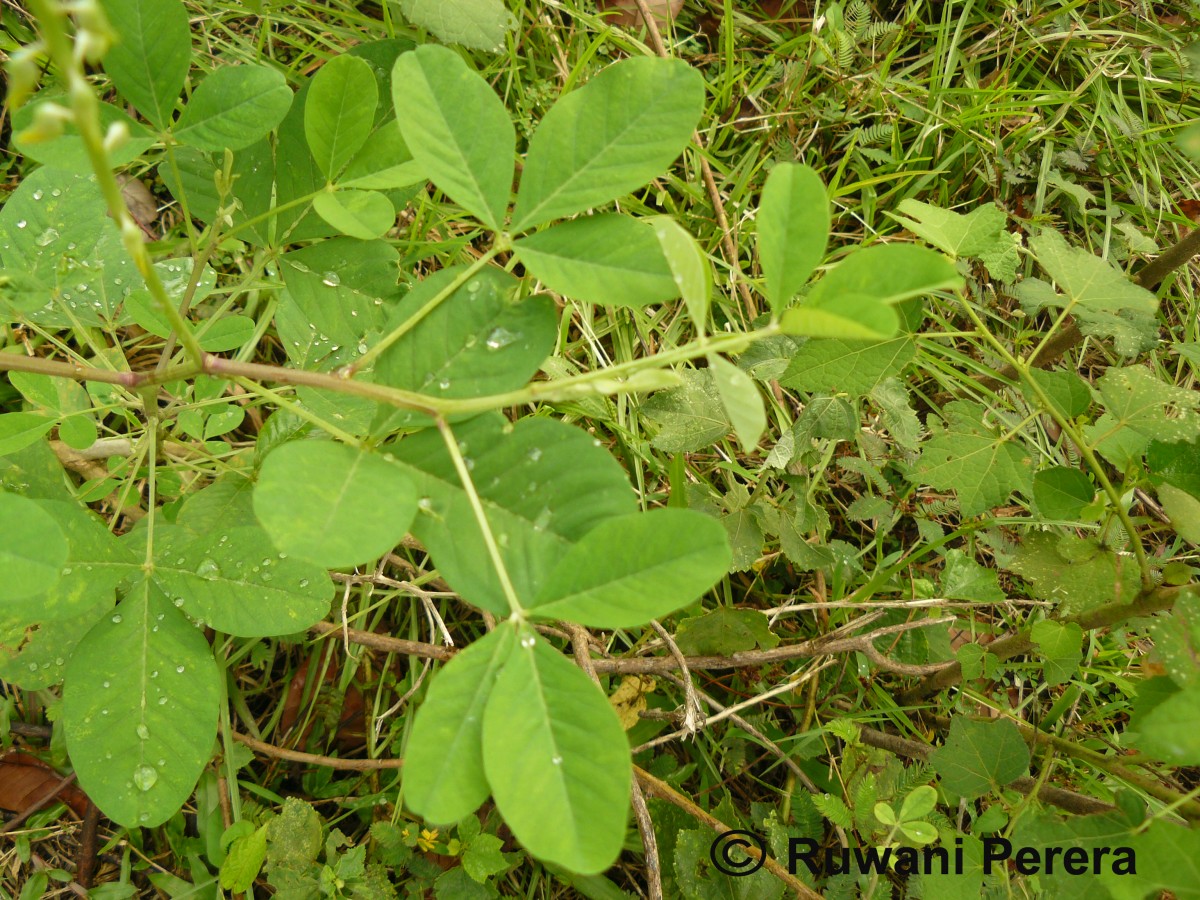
(332, 505)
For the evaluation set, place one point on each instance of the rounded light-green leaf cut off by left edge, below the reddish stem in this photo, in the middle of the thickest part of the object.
(34, 549)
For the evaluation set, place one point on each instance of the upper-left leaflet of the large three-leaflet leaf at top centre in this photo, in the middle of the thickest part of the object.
(458, 130)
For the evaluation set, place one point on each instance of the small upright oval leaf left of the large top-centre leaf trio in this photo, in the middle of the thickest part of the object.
(339, 112)
